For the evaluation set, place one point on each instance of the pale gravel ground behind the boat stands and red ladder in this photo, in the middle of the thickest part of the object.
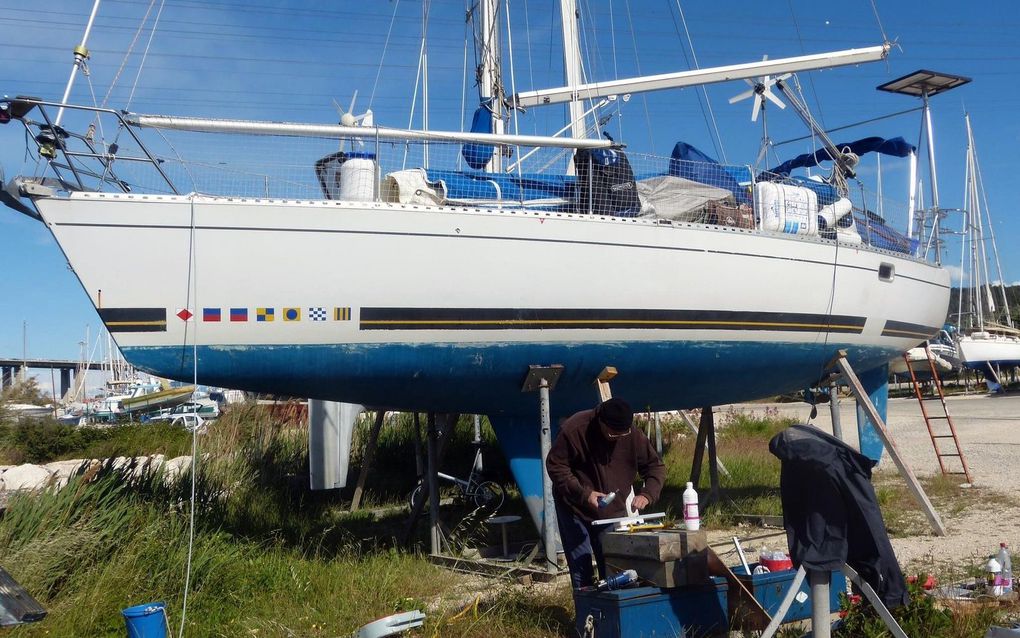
(989, 428)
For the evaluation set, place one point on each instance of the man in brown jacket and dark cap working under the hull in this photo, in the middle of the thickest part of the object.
(599, 453)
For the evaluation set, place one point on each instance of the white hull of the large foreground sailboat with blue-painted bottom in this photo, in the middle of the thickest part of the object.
(477, 282)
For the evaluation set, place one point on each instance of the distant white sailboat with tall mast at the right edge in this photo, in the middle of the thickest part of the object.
(989, 340)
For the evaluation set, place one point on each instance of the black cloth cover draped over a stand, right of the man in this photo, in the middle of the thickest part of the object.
(831, 511)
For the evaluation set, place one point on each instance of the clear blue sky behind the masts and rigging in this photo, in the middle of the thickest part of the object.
(290, 61)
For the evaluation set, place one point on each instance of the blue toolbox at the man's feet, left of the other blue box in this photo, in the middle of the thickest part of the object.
(653, 612)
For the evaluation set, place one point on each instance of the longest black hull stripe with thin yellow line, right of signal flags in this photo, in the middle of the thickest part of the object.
(580, 319)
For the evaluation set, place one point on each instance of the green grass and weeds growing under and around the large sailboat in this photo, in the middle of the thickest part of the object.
(274, 559)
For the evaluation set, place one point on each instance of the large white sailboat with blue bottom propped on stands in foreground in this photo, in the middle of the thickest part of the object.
(701, 283)
